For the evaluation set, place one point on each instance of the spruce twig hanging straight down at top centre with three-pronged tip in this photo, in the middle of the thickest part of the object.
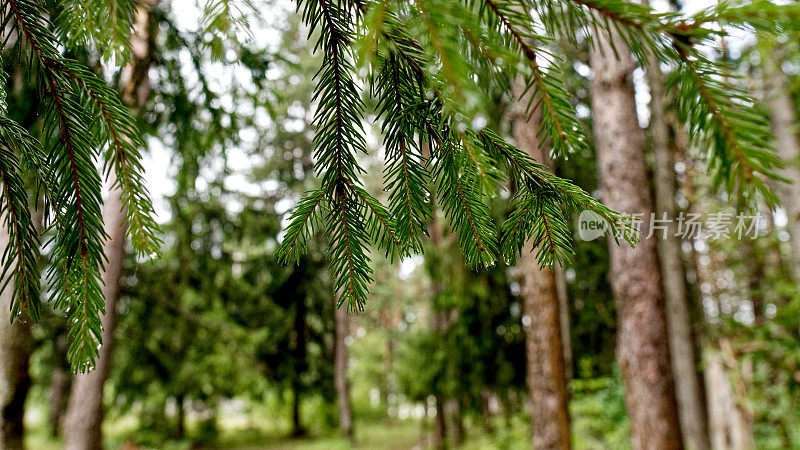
(338, 139)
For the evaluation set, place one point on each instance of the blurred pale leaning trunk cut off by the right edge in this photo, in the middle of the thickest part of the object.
(784, 126)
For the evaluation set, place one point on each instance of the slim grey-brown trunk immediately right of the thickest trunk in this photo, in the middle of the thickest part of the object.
(692, 413)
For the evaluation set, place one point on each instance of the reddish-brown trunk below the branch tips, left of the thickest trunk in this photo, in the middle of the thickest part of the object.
(546, 373)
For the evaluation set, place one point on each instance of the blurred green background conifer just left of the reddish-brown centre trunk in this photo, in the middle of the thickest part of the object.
(474, 342)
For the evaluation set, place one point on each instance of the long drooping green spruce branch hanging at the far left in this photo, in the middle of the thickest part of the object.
(82, 116)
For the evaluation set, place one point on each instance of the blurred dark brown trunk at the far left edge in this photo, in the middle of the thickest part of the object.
(15, 350)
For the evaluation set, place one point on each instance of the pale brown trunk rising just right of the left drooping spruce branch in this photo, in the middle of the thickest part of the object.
(84, 416)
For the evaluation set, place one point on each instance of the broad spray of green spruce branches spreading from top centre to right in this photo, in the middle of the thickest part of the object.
(428, 63)
